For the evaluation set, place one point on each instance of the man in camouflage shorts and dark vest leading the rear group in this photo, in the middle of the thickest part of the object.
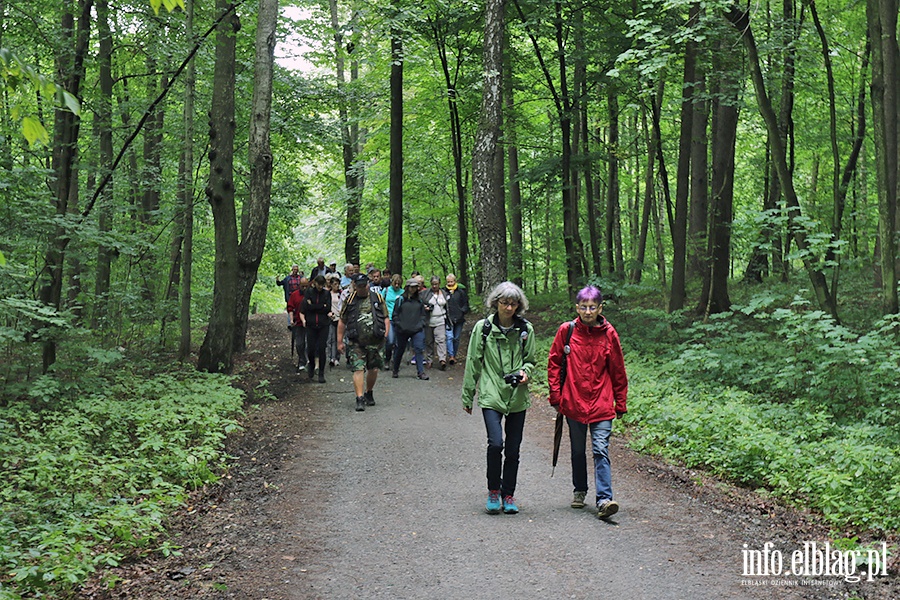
(365, 323)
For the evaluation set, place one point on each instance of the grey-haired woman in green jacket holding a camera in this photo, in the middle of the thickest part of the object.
(499, 364)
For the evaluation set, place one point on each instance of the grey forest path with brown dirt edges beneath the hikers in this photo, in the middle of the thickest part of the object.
(321, 501)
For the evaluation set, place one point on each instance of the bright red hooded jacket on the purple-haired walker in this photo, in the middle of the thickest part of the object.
(596, 387)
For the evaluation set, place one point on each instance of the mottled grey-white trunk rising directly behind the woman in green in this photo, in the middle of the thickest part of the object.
(487, 203)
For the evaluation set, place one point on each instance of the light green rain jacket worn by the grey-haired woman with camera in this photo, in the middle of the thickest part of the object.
(489, 360)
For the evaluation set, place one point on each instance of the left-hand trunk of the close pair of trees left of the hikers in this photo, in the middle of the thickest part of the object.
(216, 352)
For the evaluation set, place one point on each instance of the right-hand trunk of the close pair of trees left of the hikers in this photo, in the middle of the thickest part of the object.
(255, 212)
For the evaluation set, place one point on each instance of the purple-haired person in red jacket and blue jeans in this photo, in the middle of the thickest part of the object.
(588, 385)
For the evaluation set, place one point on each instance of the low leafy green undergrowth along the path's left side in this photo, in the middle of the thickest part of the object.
(90, 478)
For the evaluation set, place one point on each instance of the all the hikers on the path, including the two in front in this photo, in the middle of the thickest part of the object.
(375, 316)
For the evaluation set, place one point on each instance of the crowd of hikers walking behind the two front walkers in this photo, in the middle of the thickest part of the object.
(370, 319)
